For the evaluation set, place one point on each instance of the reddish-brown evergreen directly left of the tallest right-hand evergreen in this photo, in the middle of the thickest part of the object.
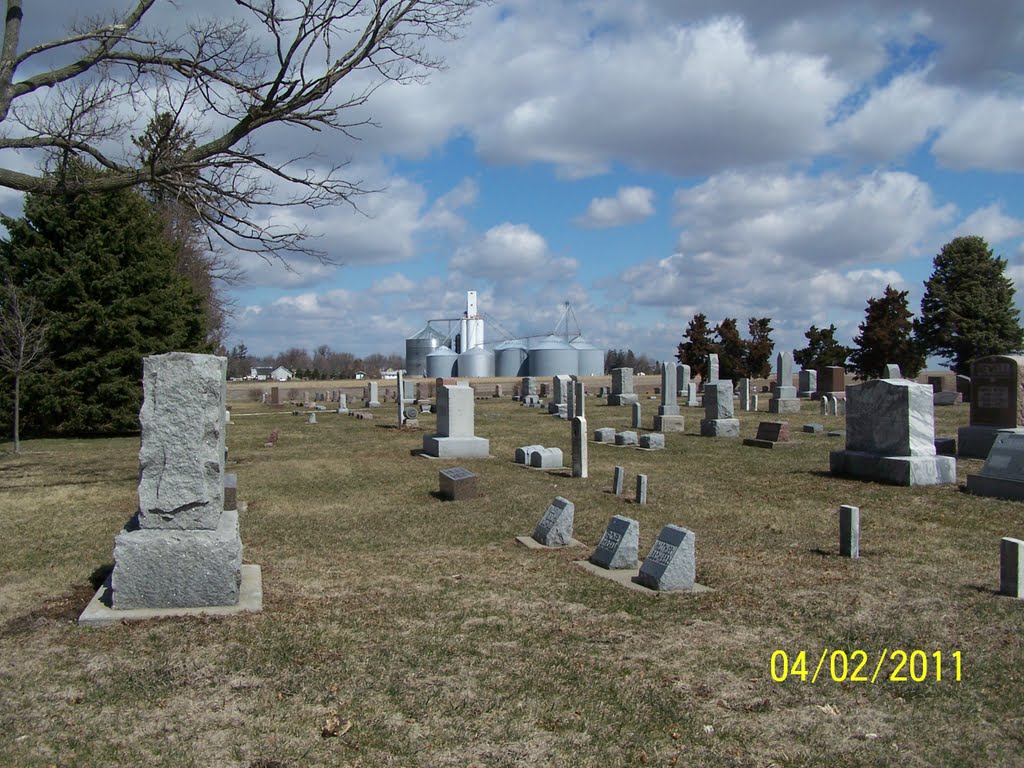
(887, 336)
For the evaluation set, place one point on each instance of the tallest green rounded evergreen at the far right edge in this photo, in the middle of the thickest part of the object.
(968, 308)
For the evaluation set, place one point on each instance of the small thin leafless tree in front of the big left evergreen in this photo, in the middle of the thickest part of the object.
(23, 343)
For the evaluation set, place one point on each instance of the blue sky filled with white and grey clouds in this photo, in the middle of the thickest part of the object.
(650, 160)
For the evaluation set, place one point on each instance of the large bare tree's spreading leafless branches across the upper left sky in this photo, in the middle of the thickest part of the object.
(223, 80)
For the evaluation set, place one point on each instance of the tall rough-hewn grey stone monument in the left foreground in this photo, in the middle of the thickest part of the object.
(182, 549)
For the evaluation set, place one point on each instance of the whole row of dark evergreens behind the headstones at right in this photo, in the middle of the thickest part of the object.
(967, 313)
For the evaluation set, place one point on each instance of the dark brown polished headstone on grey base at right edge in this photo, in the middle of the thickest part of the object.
(997, 404)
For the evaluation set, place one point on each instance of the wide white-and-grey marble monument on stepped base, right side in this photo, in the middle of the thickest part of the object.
(890, 436)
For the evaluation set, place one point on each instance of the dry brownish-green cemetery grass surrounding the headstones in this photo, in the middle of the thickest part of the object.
(403, 630)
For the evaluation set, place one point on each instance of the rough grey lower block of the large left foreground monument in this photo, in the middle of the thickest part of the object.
(169, 569)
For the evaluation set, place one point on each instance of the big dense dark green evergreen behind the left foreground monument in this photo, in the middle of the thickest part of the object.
(105, 277)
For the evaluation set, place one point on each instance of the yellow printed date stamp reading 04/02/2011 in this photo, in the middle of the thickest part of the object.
(892, 666)
